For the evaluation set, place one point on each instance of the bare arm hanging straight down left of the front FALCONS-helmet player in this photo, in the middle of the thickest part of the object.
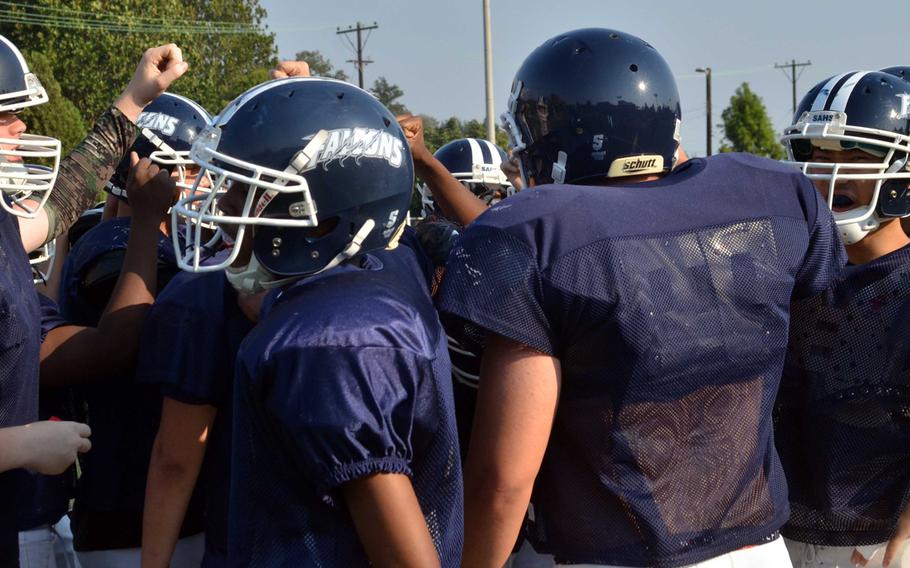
(177, 457)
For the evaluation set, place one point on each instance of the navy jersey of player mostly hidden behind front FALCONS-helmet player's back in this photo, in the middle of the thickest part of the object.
(190, 338)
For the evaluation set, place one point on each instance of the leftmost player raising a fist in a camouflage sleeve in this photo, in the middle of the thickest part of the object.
(47, 447)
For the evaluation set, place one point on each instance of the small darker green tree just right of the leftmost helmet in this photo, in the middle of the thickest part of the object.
(58, 117)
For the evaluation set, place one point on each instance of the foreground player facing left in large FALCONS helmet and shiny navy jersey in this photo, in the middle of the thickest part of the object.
(345, 449)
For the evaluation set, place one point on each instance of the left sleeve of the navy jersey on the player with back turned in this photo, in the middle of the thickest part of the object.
(493, 281)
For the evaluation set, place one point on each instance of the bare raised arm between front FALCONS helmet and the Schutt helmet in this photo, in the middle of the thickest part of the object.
(455, 200)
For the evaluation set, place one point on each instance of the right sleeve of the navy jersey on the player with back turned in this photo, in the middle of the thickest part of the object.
(825, 256)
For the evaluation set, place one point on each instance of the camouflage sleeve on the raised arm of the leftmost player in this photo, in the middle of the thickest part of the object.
(85, 170)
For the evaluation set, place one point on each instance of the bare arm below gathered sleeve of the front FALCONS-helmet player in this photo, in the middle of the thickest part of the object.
(389, 521)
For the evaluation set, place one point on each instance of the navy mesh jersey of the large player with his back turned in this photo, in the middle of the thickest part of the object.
(667, 304)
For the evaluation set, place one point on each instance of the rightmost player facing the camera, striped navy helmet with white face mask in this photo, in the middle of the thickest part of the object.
(842, 410)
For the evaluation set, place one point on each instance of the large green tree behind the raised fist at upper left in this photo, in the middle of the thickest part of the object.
(94, 63)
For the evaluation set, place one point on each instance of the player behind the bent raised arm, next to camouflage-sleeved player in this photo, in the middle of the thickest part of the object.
(124, 414)
